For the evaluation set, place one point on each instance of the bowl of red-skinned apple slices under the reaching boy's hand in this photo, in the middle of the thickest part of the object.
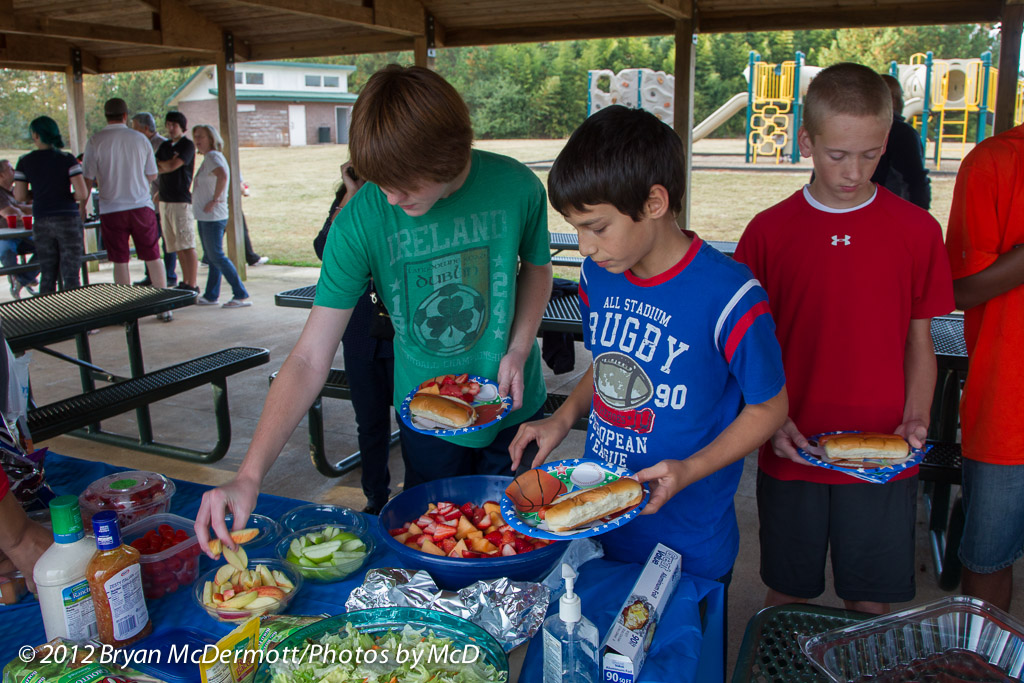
(240, 590)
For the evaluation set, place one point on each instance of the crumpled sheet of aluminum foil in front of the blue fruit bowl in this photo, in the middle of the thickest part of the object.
(510, 611)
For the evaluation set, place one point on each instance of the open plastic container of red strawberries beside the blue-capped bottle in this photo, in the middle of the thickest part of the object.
(169, 553)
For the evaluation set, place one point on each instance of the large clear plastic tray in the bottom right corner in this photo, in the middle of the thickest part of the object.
(955, 638)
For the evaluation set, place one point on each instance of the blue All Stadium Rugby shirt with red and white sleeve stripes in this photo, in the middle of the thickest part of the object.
(676, 358)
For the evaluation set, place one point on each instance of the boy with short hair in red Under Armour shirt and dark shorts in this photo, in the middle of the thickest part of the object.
(855, 276)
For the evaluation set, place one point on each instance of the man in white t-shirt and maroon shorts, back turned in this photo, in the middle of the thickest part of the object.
(121, 161)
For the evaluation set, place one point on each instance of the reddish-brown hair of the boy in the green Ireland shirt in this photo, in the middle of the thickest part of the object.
(409, 126)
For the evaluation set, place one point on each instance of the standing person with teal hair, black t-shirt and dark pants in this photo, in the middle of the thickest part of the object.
(57, 214)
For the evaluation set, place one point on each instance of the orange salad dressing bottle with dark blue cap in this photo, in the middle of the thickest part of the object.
(116, 582)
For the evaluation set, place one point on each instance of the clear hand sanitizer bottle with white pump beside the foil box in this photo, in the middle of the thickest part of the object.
(570, 641)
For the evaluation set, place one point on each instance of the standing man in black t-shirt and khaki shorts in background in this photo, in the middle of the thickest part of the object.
(177, 163)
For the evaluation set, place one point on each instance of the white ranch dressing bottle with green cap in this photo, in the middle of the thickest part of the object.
(60, 575)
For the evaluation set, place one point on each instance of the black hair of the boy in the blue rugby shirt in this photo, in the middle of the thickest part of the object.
(616, 157)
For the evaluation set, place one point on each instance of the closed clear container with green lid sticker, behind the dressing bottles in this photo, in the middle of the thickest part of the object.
(135, 496)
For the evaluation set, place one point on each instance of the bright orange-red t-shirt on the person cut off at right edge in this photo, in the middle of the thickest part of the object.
(987, 221)
